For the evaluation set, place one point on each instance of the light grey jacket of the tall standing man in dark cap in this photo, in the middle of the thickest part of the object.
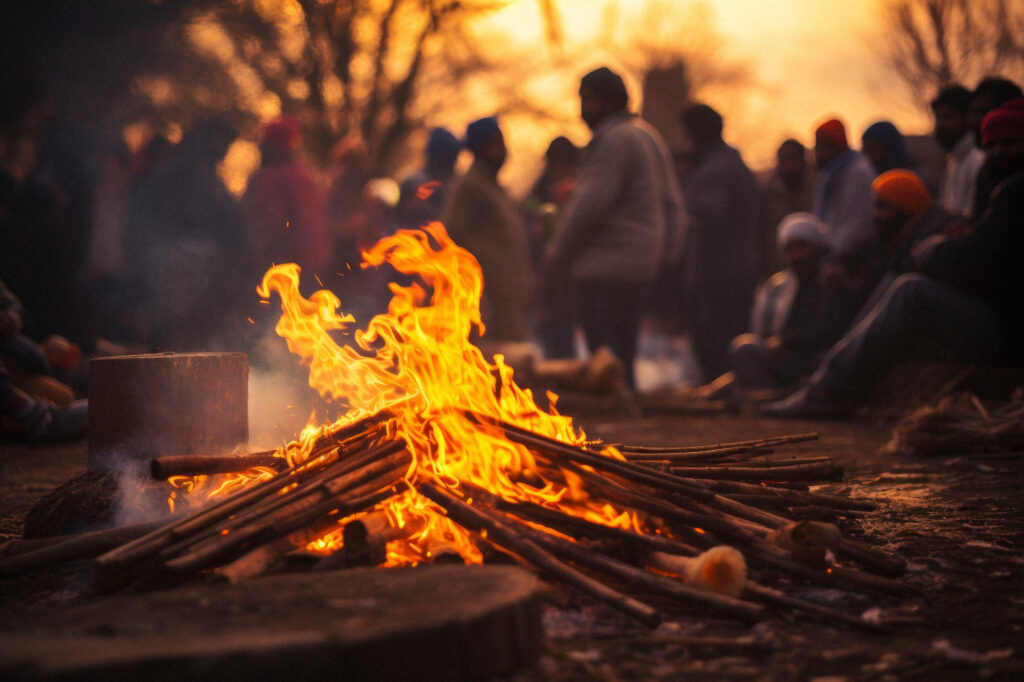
(626, 217)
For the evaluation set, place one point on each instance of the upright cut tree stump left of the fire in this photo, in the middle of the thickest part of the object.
(143, 407)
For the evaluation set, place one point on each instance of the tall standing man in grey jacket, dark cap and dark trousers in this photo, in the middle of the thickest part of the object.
(623, 222)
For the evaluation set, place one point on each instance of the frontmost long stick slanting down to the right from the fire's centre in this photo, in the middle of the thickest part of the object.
(511, 539)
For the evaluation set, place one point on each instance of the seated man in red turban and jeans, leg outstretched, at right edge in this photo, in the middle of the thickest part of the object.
(966, 302)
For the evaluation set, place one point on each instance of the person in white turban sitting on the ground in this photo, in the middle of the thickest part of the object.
(795, 319)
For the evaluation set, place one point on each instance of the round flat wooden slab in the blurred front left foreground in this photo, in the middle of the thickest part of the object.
(429, 623)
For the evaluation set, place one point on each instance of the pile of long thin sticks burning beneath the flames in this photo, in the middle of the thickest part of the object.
(688, 501)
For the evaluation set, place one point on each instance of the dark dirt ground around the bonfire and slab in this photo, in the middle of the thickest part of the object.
(956, 520)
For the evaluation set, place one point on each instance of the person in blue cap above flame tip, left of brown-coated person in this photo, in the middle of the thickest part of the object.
(421, 195)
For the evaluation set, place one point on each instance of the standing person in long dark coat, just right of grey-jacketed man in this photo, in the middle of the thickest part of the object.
(722, 261)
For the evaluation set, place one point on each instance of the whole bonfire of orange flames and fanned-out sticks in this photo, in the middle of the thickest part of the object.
(457, 458)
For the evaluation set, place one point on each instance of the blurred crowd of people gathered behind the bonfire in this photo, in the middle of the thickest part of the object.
(803, 283)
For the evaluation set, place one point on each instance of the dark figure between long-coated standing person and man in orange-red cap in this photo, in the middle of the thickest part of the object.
(788, 189)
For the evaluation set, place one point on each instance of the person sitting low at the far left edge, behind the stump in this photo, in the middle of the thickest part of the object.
(34, 406)
